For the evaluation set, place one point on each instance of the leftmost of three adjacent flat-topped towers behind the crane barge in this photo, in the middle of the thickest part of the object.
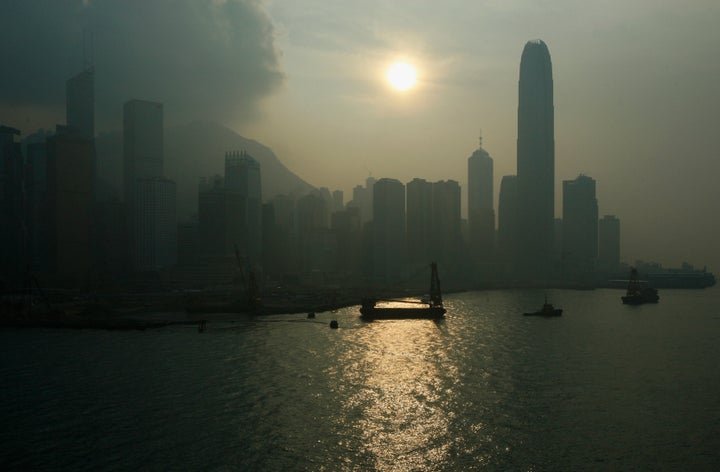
(388, 228)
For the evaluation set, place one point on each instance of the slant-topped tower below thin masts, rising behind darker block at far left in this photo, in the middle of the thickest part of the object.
(80, 102)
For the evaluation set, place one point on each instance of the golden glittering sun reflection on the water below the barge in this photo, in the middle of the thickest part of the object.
(401, 395)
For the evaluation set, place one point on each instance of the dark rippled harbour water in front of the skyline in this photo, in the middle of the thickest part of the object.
(604, 387)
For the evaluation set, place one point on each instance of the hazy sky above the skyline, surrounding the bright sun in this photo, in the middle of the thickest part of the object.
(637, 90)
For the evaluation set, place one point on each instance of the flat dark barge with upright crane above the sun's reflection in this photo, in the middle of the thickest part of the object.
(403, 309)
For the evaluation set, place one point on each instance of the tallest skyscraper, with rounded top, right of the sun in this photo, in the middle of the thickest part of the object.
(535, 161)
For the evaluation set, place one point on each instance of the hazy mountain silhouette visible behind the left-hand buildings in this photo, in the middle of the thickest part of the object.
(194, 151)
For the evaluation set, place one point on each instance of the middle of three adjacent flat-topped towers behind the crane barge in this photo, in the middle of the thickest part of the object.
(419, 220)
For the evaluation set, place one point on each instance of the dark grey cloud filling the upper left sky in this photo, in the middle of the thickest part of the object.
(202, 58)
